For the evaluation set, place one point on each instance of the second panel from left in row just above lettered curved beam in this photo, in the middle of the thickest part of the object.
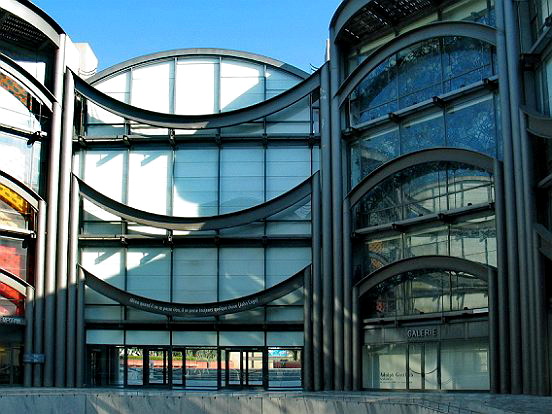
(149, 272)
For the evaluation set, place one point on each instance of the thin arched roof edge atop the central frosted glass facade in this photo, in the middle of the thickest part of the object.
(197, 52)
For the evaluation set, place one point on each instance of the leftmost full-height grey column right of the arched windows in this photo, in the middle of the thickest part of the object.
(510, 201)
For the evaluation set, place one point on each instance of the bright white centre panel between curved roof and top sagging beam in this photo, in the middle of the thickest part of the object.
(196, 80)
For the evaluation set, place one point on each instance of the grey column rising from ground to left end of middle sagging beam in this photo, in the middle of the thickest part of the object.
(72, 290)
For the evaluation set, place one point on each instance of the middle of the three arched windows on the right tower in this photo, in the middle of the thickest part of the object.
(423, 189)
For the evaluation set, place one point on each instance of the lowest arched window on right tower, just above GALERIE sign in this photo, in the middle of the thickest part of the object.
(421, 292)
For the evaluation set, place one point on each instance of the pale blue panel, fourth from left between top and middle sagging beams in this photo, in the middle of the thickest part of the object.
(242, 178)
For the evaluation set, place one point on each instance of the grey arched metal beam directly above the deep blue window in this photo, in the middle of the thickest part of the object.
(438, 29)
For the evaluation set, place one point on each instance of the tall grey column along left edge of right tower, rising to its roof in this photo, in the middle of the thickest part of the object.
(337, 217)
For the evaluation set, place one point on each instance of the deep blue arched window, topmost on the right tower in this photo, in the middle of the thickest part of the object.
(418, 73)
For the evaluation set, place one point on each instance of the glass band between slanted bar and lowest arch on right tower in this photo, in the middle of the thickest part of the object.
(472, 239)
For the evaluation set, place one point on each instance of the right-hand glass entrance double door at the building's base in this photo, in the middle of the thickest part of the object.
(245, 368)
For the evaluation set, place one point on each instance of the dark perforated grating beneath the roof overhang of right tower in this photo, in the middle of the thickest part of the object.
(384, 15)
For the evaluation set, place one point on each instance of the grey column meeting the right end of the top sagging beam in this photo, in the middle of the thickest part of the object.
(327, 281)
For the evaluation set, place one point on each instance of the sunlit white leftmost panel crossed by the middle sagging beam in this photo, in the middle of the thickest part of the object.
(103, 170)
